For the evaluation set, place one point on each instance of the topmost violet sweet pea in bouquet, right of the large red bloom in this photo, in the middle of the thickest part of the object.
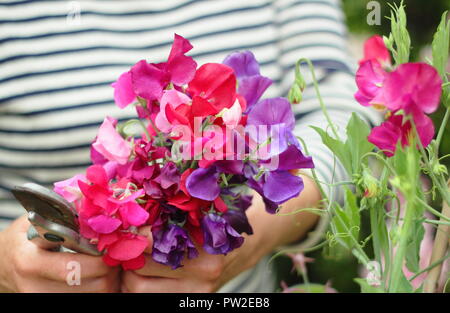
(251, 83)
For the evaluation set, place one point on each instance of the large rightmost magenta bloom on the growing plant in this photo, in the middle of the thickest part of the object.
(412, 87)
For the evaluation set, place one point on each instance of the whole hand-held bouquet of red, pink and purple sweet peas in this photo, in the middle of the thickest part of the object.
(202, 138)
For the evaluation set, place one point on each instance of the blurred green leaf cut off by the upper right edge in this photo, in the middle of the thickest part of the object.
(440, 45)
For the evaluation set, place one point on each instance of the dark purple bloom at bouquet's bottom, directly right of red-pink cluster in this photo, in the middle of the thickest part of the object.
(170, 245)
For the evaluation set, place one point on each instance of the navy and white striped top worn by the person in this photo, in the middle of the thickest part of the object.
(56, 69)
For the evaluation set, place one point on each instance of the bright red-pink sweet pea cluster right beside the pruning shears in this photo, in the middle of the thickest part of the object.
(106, 214)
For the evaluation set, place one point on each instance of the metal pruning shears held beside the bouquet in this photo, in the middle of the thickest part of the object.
(53, 220)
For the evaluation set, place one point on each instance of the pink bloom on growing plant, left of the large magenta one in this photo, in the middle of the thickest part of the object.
(370, 79)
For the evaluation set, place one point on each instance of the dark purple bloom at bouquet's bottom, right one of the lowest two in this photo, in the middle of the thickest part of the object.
(220, 237)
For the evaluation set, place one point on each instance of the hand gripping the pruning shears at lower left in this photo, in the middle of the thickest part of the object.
(24, 267)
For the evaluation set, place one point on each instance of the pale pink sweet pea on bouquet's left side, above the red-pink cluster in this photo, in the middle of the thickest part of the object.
(110, 144)
